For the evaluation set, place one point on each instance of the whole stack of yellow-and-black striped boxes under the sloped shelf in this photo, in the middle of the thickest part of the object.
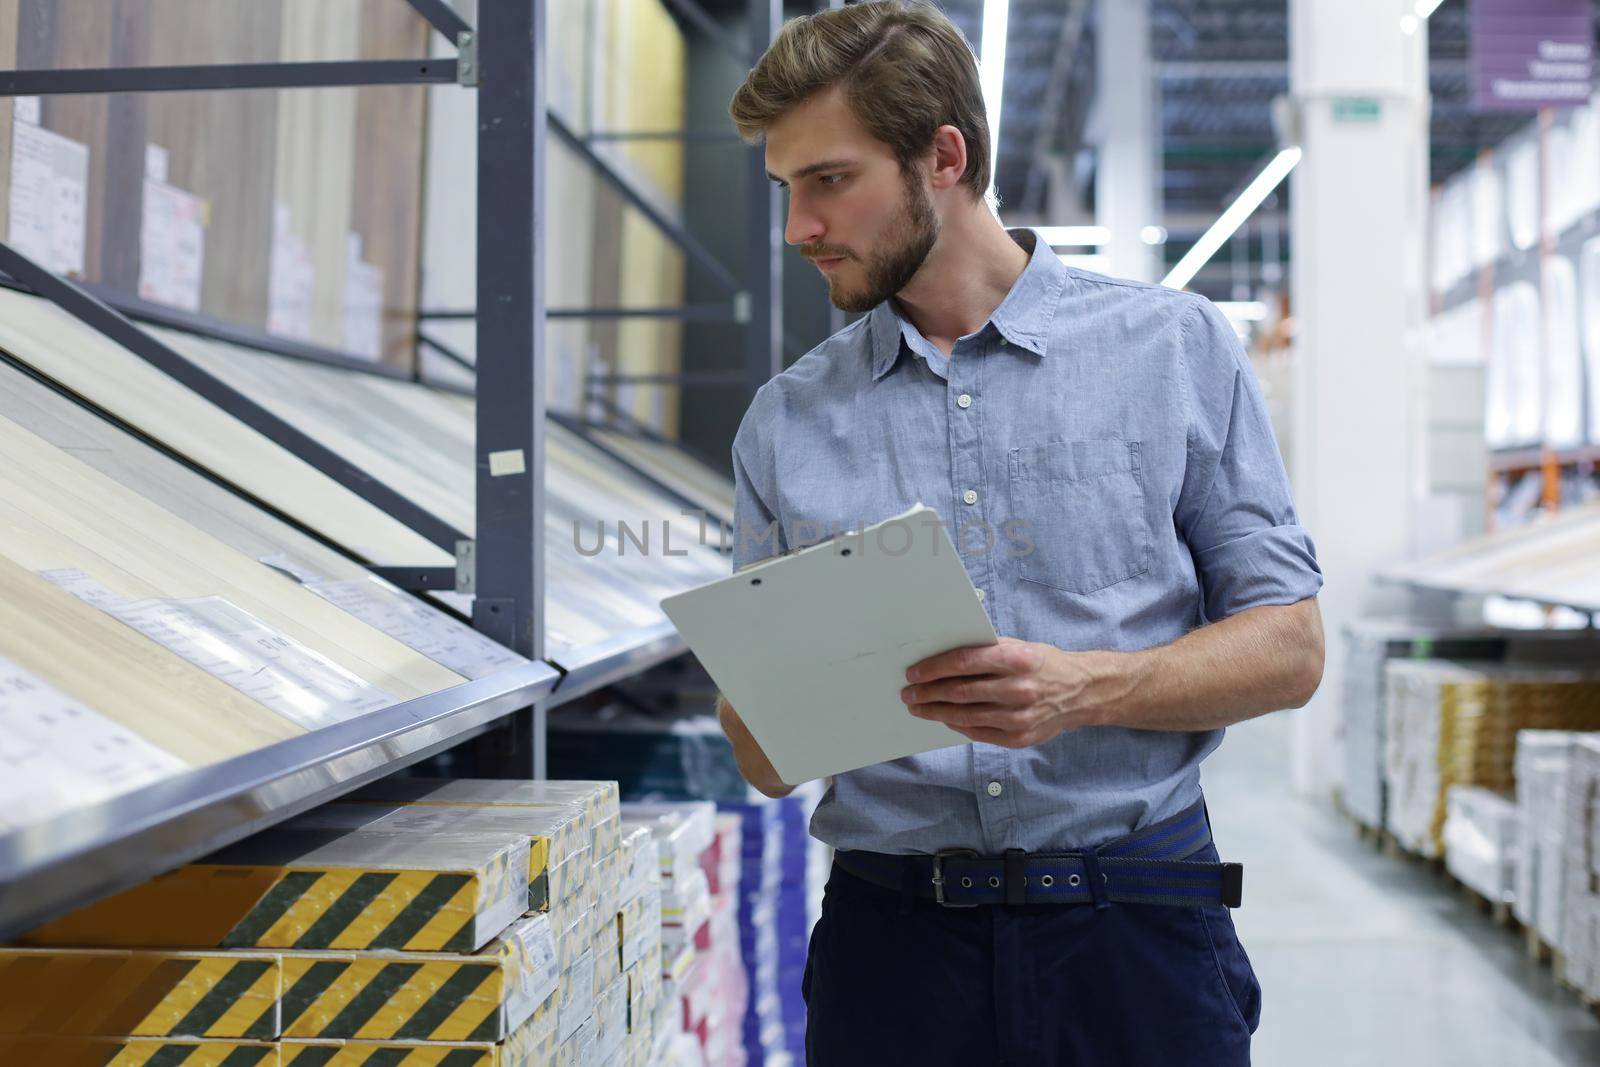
(417, 921)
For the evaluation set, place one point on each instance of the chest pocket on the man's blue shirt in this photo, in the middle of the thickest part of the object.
(1082, 508)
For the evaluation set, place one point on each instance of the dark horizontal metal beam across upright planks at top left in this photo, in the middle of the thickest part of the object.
(249, 76)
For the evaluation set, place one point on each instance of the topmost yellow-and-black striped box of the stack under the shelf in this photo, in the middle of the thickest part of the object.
(319, 890)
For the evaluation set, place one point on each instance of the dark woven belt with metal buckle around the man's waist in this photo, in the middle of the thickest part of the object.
(1145, 868)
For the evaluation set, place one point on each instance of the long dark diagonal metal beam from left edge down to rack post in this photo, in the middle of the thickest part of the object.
(95, 314)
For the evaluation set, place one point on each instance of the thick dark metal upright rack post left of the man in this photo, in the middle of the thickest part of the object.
(510, 559)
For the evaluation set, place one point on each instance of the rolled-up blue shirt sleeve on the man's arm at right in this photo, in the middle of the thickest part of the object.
(1234, 508)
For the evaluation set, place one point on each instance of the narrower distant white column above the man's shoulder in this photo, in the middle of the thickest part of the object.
(1127, 191)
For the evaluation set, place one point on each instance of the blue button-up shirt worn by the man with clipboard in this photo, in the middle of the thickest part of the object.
(1106, 468)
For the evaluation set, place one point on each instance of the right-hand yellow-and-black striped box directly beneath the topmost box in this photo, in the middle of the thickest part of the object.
(423, 997)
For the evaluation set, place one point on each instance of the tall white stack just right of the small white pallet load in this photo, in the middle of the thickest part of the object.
(1545, 764)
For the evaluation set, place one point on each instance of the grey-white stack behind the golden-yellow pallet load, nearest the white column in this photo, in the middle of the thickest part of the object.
(1369, 647)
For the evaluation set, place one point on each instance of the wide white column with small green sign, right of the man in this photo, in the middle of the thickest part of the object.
(1359, 298)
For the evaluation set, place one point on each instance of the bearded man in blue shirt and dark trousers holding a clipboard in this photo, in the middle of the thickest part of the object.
(1162, 588)
